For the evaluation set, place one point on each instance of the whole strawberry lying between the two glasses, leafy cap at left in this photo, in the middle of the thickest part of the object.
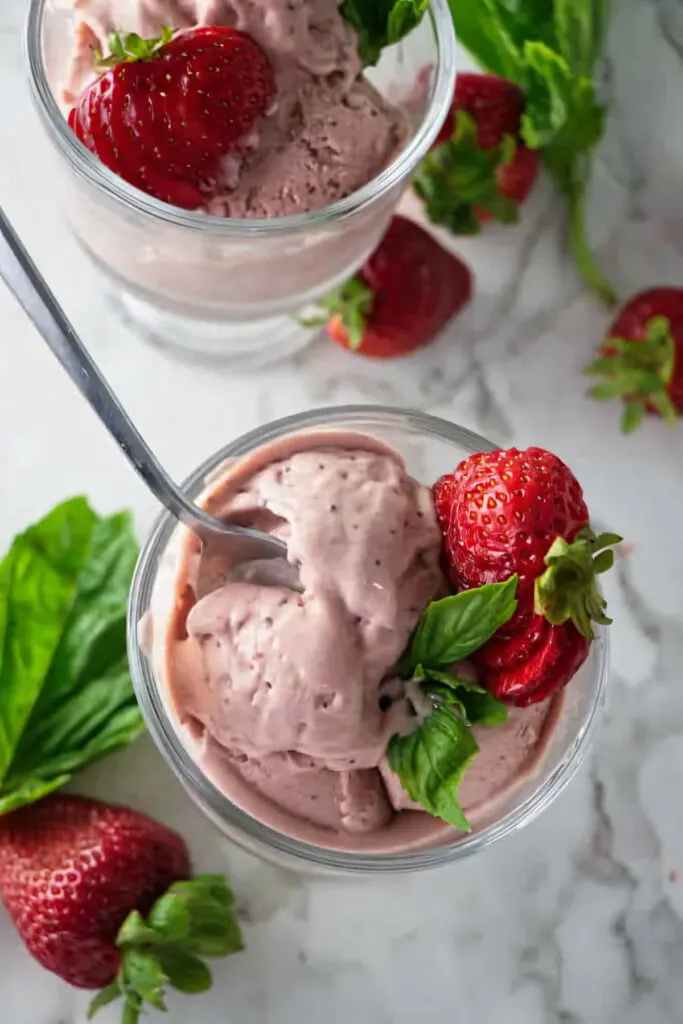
(404, 295)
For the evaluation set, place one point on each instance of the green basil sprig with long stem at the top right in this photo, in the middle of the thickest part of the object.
(550, 52)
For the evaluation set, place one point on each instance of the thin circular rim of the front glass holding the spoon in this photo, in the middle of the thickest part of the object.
(199, 785)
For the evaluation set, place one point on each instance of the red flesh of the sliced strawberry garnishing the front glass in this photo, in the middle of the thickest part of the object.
(499, 514)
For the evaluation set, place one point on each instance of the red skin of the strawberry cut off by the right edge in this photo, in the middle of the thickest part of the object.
(631, 324)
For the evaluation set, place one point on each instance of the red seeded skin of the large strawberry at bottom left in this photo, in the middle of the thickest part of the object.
(72, 870)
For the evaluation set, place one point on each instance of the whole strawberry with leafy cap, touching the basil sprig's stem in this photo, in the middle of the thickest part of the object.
(480, 168)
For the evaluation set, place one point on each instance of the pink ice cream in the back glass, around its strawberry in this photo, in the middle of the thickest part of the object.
(330, 132)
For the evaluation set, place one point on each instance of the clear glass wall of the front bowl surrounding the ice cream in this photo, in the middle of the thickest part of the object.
(431, 448)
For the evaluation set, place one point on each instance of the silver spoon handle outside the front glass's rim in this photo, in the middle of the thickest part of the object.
(29, 287)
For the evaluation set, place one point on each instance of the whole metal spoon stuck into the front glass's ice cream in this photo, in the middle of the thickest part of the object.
(29, 287)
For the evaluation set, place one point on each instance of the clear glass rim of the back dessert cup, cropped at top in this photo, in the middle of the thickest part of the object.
(88, 166)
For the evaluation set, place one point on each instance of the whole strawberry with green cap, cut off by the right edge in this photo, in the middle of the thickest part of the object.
(643, 358)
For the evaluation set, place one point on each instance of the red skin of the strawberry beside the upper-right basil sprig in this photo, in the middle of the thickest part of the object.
(496, 106)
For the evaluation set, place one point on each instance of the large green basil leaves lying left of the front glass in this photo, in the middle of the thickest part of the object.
(82, 707)
